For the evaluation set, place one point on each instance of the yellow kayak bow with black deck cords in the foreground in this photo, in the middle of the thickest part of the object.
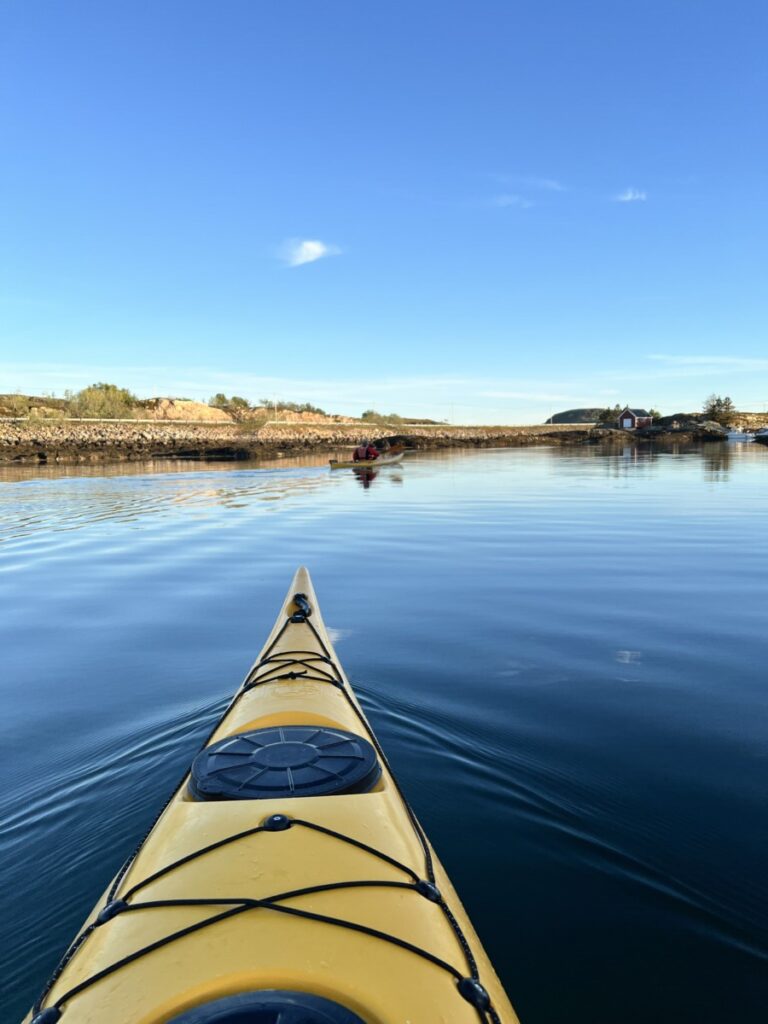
(286, 880)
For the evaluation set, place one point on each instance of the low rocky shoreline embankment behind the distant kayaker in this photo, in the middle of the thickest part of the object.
(63, 442)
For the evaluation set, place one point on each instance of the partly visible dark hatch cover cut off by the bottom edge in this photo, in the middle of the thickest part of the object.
(270, 1007)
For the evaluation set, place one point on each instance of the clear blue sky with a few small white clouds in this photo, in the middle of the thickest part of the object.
(483, 212)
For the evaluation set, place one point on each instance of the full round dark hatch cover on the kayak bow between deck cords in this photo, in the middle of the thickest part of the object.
(285, 761)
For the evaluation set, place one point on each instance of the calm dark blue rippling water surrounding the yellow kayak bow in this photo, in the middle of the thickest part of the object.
(564, 654)
